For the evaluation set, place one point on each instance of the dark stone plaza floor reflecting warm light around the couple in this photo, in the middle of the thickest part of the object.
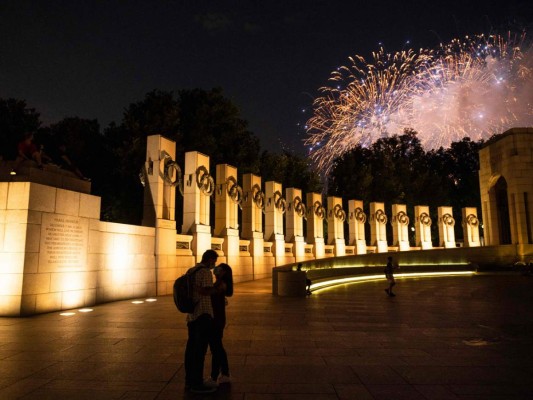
(440, 338)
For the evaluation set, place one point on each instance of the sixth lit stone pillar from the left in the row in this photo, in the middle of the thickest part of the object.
(294, 232)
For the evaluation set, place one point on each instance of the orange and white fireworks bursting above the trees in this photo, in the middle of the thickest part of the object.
(476, 87)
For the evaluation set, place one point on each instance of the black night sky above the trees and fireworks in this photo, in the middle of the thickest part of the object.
(91, 59)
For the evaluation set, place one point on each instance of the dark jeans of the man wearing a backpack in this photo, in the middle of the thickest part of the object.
(199, 336)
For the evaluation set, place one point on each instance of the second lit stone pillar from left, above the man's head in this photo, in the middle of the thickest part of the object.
(199, 186)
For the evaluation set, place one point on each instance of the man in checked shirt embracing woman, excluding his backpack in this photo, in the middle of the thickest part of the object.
(200, 324)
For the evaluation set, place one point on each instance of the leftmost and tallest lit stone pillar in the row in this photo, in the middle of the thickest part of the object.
(160, 174)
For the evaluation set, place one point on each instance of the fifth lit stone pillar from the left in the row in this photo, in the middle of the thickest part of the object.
(275, 207)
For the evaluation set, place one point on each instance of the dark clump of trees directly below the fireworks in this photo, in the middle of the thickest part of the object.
(397, 170)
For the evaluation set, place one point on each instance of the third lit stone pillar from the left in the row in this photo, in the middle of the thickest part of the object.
(228, 196)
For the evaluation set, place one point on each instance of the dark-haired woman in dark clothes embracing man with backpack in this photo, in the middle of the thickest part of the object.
(223, 287)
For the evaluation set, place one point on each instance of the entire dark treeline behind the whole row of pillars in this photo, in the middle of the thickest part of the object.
(393, 170)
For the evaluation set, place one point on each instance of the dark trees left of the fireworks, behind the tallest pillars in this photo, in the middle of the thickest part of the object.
(112, 157)
